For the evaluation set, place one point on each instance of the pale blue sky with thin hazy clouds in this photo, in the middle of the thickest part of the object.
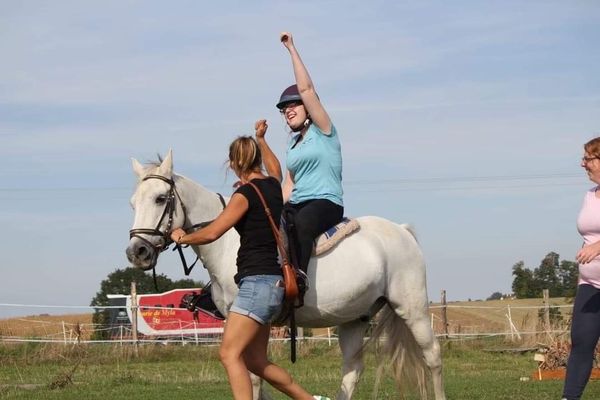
(465, 119)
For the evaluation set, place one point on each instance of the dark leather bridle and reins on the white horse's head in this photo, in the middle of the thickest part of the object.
(168, 212)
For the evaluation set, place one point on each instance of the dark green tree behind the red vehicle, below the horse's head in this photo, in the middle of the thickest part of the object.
(119, 282)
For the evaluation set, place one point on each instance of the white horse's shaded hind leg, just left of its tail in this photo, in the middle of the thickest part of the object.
(351, 336)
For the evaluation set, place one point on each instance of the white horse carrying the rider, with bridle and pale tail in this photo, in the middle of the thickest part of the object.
(381, 265)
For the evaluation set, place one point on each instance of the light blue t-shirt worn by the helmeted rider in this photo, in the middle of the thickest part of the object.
(316, 166)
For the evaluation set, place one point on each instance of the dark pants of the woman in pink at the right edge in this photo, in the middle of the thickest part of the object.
(585, 331)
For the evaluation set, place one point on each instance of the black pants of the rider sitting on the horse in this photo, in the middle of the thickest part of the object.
(312, 218)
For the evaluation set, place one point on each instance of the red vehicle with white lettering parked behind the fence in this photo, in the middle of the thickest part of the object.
(165, 314)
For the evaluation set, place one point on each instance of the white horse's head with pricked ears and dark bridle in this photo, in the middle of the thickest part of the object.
(157, 211)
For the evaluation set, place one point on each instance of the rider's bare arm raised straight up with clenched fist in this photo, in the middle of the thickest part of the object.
(306, 88)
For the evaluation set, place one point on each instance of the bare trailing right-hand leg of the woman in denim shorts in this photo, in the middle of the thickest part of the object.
(255, 357)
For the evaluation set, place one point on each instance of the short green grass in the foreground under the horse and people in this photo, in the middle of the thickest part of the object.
(172, 372)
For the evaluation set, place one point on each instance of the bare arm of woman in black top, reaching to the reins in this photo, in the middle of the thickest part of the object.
(235, 210)
